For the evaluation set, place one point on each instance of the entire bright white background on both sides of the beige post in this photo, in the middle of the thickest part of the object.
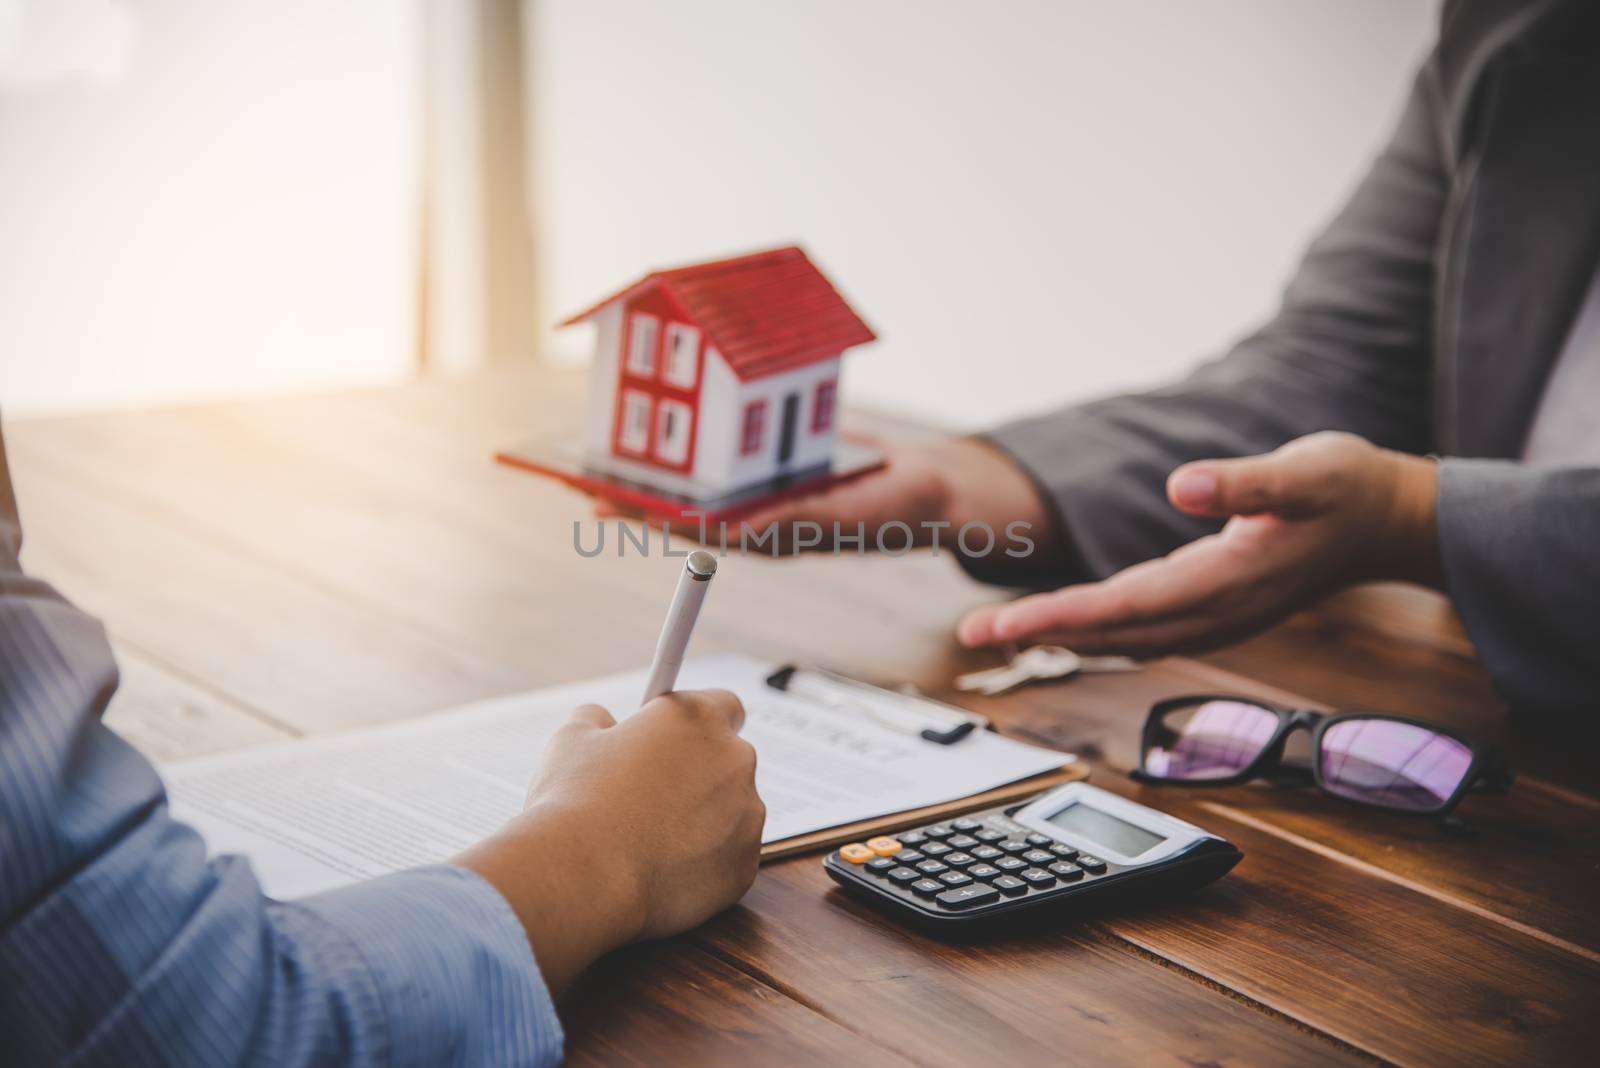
(1031, 201)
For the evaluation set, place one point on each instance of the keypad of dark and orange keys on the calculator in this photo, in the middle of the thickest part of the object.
(969, 864)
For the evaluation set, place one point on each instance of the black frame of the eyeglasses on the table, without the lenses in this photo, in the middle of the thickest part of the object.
(1489, 773)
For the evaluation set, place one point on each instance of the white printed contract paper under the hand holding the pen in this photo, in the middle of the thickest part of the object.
(319, 813)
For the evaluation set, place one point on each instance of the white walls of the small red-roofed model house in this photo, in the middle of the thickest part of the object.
(721, 463)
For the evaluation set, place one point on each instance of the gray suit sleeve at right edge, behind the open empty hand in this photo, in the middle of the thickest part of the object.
(1519, 548)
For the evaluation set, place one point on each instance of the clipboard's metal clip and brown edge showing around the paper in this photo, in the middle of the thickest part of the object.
(934, 712)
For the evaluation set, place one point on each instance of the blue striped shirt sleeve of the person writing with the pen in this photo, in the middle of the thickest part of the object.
(122, 944)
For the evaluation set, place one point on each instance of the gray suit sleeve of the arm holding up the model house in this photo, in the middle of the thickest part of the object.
(1348, 351)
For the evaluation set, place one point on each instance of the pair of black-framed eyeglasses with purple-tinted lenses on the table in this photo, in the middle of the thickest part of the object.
(1370, 759)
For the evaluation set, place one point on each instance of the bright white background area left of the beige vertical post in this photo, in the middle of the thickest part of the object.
(206, 197)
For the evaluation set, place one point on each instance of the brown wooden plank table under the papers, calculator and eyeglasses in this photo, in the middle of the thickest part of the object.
(289, 567)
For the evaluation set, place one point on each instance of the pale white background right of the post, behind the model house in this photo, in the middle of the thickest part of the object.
(1031, 201)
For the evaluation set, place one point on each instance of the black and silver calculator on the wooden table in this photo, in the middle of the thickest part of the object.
(1062, 851)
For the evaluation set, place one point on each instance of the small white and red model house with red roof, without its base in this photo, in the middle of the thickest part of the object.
(719, 378)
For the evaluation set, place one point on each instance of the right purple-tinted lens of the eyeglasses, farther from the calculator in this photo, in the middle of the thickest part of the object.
(1394, 765)
